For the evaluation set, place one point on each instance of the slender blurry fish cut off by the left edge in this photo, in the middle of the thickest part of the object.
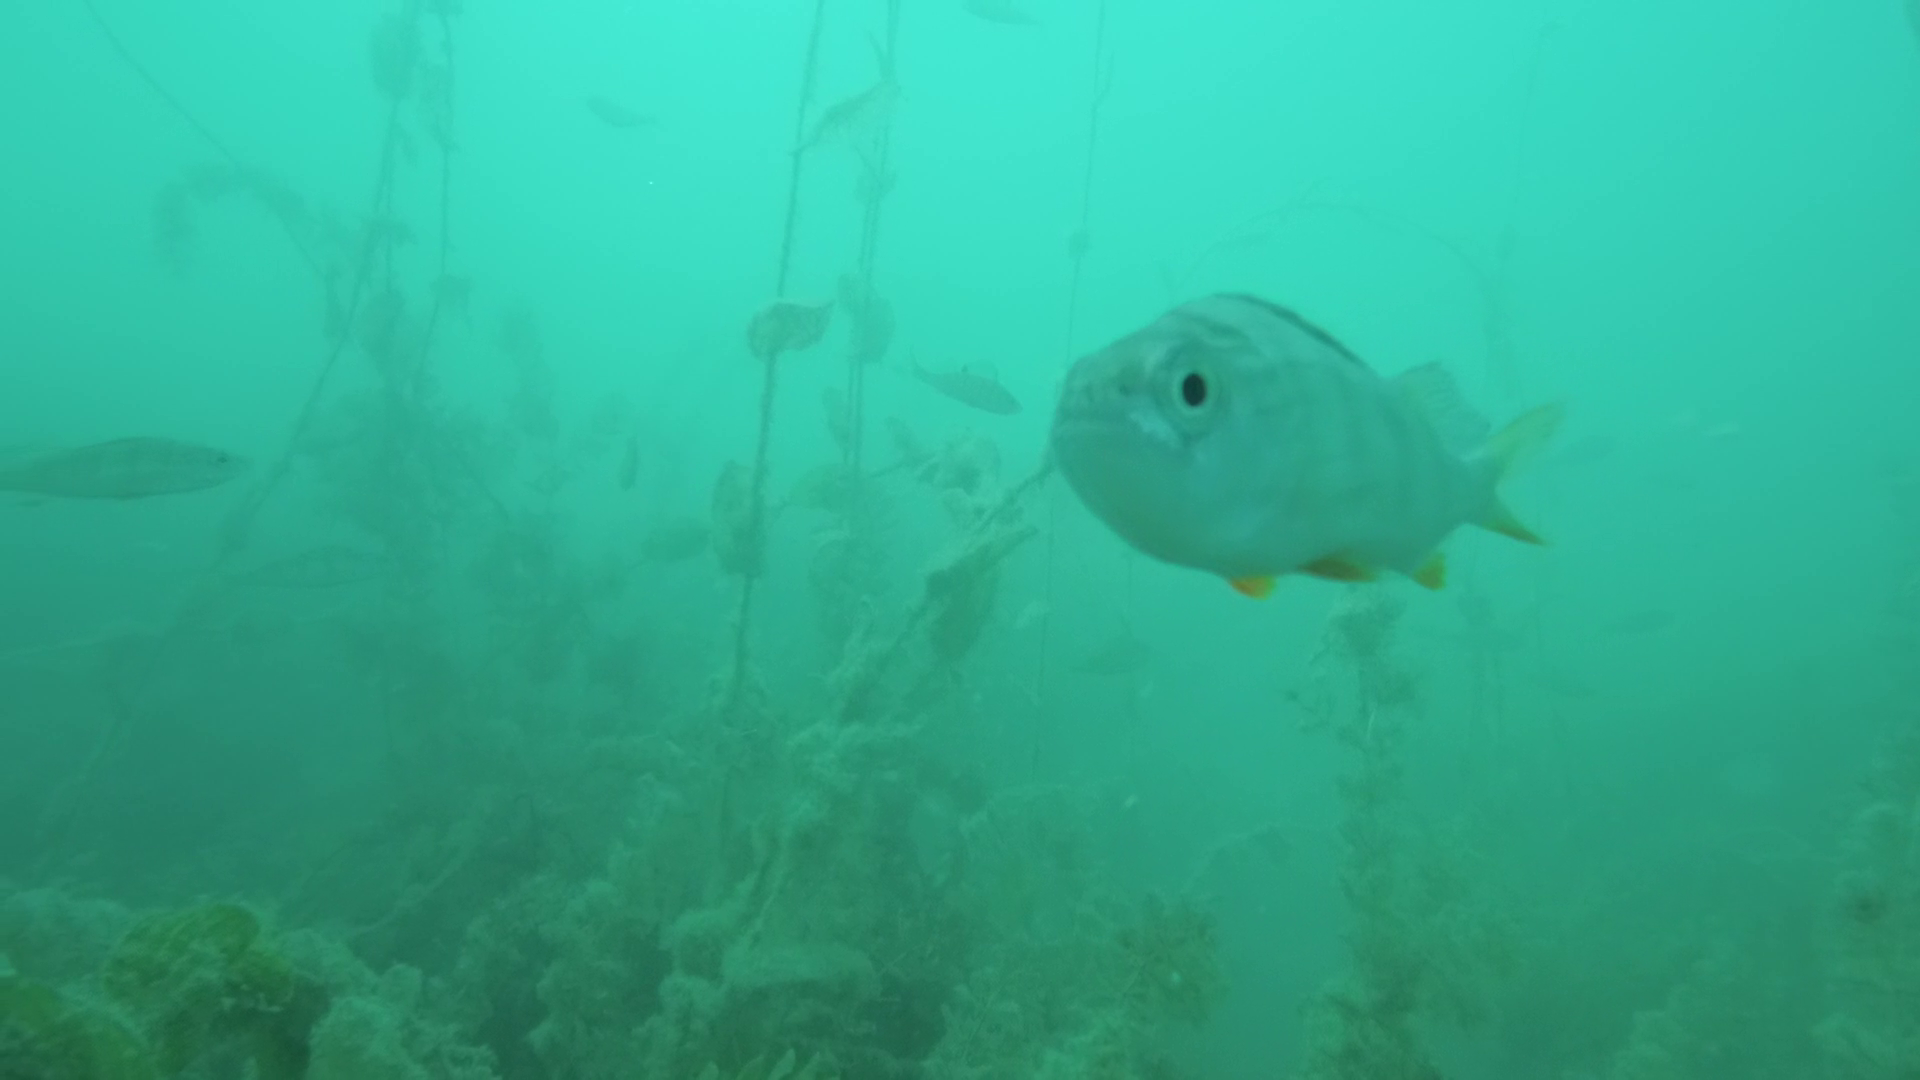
(122, 470)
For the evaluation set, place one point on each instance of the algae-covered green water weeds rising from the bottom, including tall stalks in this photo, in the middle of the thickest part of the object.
(554, 870)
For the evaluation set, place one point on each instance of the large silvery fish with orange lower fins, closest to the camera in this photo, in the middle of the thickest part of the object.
(1237, 439)
